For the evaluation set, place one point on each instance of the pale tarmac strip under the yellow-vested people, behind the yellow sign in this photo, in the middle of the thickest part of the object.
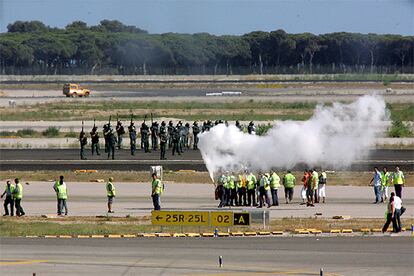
(133, 199)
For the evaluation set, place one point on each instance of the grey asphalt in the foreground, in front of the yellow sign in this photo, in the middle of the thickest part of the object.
(199, 256)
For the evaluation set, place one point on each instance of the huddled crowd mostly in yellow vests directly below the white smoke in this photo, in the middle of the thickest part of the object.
(246, 189)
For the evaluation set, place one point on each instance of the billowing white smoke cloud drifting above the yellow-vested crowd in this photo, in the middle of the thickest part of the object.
(333, 137)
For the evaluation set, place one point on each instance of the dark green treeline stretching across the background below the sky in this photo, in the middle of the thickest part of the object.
(114, 48)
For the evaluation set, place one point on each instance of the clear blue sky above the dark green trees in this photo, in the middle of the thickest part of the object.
(222, 16)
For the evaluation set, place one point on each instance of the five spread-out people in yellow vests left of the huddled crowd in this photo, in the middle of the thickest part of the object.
(14, 195)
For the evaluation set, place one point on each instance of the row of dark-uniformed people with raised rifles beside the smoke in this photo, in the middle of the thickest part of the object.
(175, 137)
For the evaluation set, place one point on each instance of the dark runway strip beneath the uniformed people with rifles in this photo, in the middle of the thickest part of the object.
(68, 159)
